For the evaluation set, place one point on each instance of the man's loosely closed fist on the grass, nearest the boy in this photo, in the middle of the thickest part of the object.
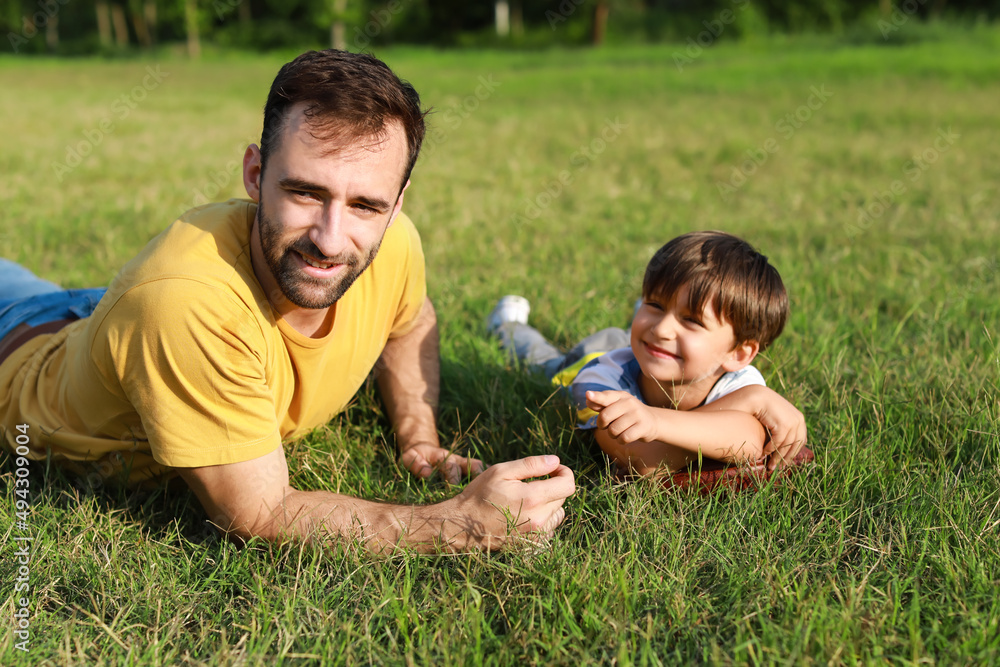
(502, 510)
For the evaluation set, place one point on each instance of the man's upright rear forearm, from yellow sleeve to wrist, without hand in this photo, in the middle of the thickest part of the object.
(408, 375)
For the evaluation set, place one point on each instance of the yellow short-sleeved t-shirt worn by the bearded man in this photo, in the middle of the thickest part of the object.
(184, 363)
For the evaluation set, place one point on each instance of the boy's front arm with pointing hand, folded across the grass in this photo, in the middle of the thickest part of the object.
(643, 437)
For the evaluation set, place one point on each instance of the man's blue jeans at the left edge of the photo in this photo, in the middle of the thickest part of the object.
(27, 299)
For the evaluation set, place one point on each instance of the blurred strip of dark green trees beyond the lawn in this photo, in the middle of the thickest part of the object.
(73, 27)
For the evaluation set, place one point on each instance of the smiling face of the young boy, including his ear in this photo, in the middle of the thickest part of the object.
(683, 353)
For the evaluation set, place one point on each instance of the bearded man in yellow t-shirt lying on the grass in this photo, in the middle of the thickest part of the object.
(248, 323)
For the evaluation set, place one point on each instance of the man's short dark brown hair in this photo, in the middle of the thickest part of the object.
(347, 95)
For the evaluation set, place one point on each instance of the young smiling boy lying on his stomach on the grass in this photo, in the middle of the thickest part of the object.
(683, 389)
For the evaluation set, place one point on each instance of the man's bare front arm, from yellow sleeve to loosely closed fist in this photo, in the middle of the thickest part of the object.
(254, 499)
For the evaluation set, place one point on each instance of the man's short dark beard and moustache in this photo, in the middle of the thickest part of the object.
(299, 288)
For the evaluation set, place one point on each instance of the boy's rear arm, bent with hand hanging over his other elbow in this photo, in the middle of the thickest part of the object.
(783, 421)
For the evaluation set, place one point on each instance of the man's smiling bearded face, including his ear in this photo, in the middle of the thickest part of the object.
(322, 216)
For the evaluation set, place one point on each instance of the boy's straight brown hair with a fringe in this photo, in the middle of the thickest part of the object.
(745, 290)
